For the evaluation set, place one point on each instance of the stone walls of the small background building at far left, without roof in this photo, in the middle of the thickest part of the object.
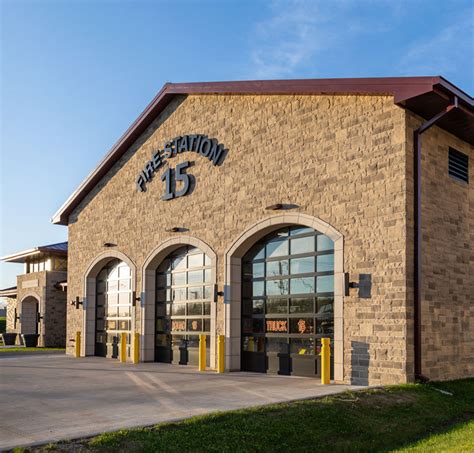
(39, 288)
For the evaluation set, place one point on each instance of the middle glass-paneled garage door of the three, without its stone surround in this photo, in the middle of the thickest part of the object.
(183, 306)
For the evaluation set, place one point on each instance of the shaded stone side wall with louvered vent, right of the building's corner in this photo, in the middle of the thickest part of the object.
(447, 310)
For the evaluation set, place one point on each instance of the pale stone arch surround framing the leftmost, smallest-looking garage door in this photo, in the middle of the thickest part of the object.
(90, 284)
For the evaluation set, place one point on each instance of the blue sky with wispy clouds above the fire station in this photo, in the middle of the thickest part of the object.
(75, 74)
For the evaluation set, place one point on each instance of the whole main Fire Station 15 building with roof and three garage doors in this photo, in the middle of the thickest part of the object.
(277, 213)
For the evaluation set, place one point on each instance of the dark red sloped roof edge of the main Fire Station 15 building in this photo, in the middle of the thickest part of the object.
(425, 96)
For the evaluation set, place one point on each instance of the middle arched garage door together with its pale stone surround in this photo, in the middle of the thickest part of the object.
(178, 302)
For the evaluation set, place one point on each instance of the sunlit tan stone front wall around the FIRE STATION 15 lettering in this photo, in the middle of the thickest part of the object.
(338, 158)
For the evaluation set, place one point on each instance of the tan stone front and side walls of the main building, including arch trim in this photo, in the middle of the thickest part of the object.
(345, 163)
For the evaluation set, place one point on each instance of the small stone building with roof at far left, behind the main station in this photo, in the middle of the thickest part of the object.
(37, 305)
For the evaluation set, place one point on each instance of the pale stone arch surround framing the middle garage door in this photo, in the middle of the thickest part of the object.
(153, 260)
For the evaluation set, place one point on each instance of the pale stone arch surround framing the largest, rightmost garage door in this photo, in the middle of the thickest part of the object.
(233, 271)
